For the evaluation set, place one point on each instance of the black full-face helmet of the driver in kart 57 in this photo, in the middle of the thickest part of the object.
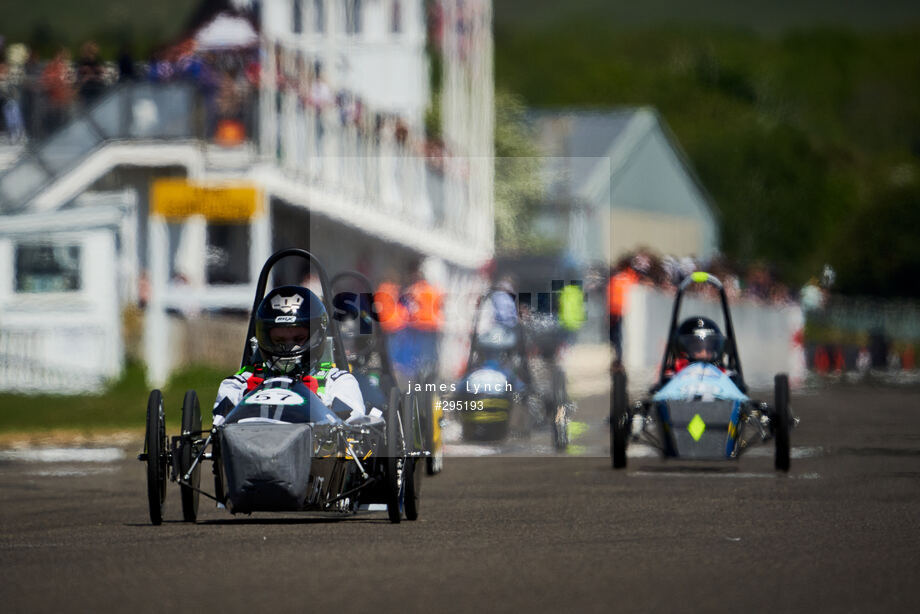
(291, 323)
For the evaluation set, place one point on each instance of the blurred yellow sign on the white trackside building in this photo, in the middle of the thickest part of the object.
(180, 198)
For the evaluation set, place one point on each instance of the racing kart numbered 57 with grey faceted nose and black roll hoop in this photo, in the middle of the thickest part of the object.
(281, 449)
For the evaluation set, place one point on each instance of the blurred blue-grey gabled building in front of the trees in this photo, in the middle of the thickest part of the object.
(617, 181)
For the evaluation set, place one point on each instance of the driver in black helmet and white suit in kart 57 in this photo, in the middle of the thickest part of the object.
(291, 328)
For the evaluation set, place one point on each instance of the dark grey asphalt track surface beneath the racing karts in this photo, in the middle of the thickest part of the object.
(839, 533)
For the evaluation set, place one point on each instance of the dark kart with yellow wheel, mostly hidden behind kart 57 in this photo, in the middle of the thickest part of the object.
(374, 371)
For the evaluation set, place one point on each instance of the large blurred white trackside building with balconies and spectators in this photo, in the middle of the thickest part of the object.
(290, 123)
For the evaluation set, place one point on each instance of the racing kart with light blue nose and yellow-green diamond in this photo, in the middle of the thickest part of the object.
(701, 411)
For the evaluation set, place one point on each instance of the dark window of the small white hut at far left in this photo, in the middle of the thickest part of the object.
(47, 268)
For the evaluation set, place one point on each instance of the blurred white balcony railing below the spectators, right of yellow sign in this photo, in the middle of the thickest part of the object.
(375, 168)
